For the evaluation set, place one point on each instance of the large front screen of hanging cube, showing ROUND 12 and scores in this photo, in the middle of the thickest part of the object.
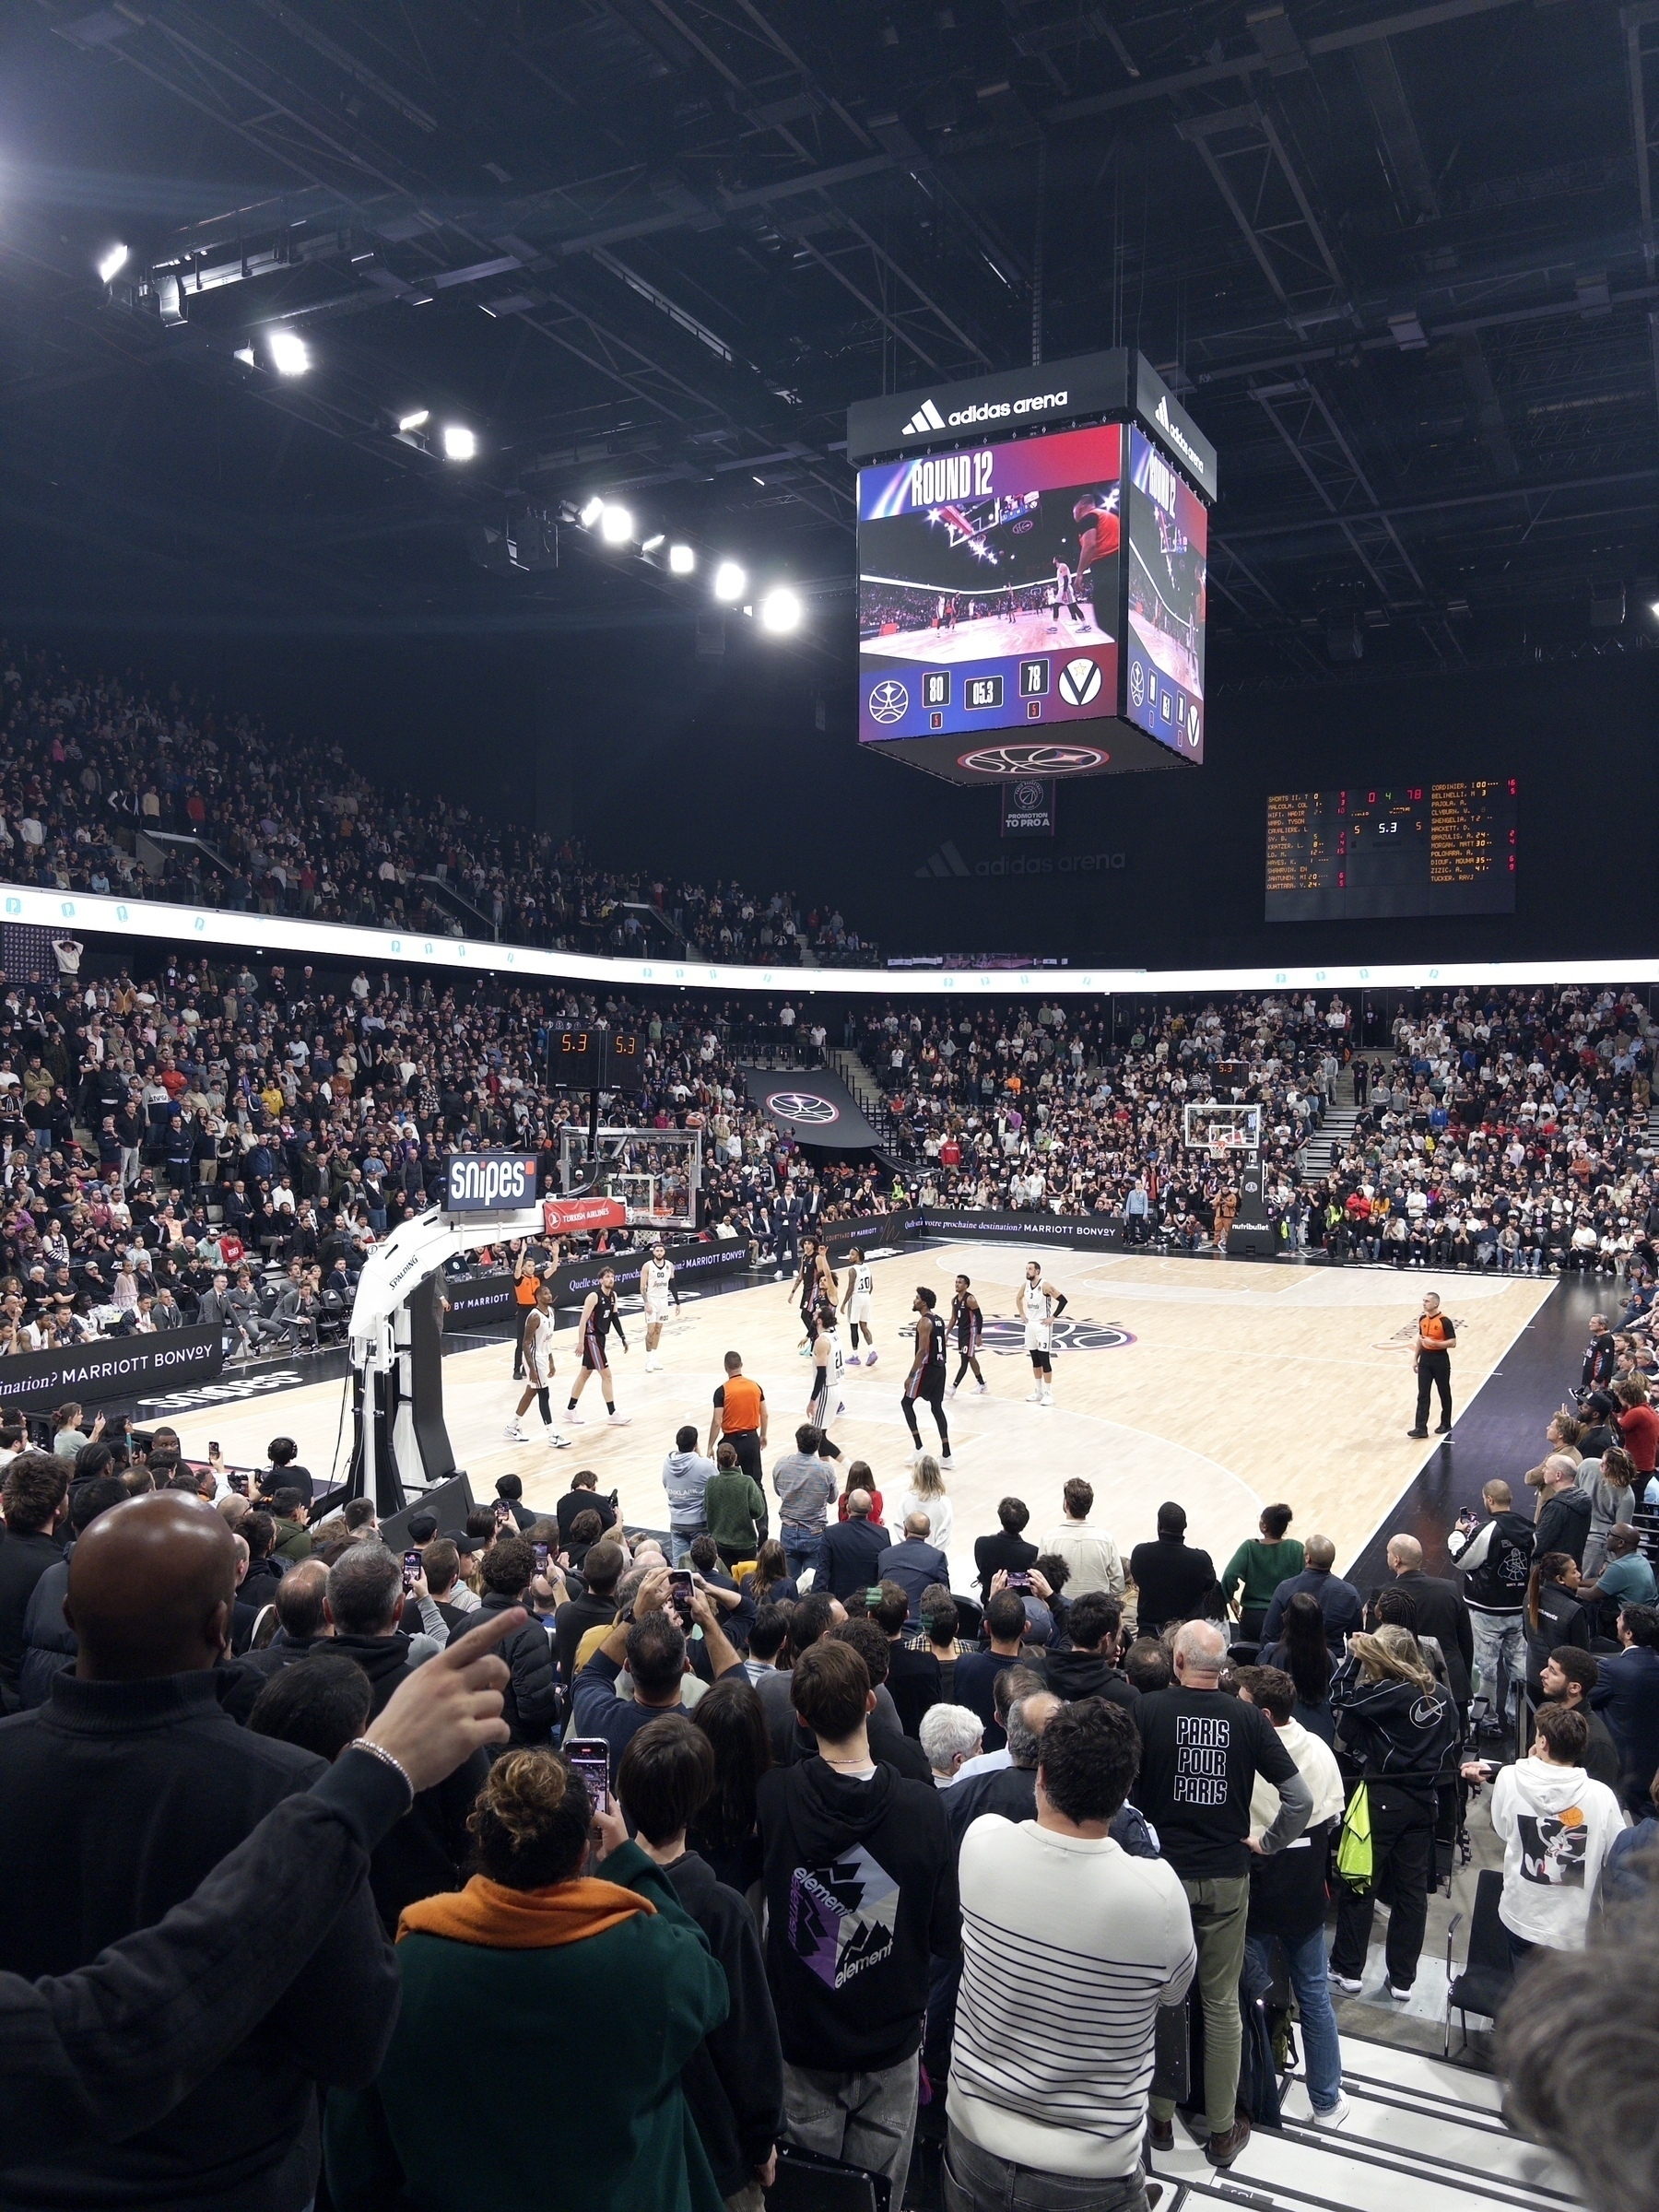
(990, 587)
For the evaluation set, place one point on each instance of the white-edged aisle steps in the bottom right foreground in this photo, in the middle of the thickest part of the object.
(1421, 2138)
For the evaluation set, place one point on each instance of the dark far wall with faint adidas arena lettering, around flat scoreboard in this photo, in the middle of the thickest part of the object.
(1149, 870)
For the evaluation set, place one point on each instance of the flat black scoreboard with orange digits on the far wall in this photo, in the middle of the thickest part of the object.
(1410, 851)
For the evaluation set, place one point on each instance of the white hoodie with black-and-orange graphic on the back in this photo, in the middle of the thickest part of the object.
(1558, 1828)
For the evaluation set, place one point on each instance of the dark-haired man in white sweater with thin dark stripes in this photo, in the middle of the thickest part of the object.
(1070, 1950)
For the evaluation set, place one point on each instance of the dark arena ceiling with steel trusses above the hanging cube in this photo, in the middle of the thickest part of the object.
(1397, 262)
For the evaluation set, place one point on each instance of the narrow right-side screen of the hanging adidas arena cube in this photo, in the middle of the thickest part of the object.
(1169, 543)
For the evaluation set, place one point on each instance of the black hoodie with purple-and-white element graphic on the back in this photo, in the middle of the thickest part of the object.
(859, 1895)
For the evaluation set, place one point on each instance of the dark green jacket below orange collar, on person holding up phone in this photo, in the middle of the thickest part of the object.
(578, 2049)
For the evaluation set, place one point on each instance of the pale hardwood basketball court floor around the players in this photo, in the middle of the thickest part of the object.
(1224, 1386)
